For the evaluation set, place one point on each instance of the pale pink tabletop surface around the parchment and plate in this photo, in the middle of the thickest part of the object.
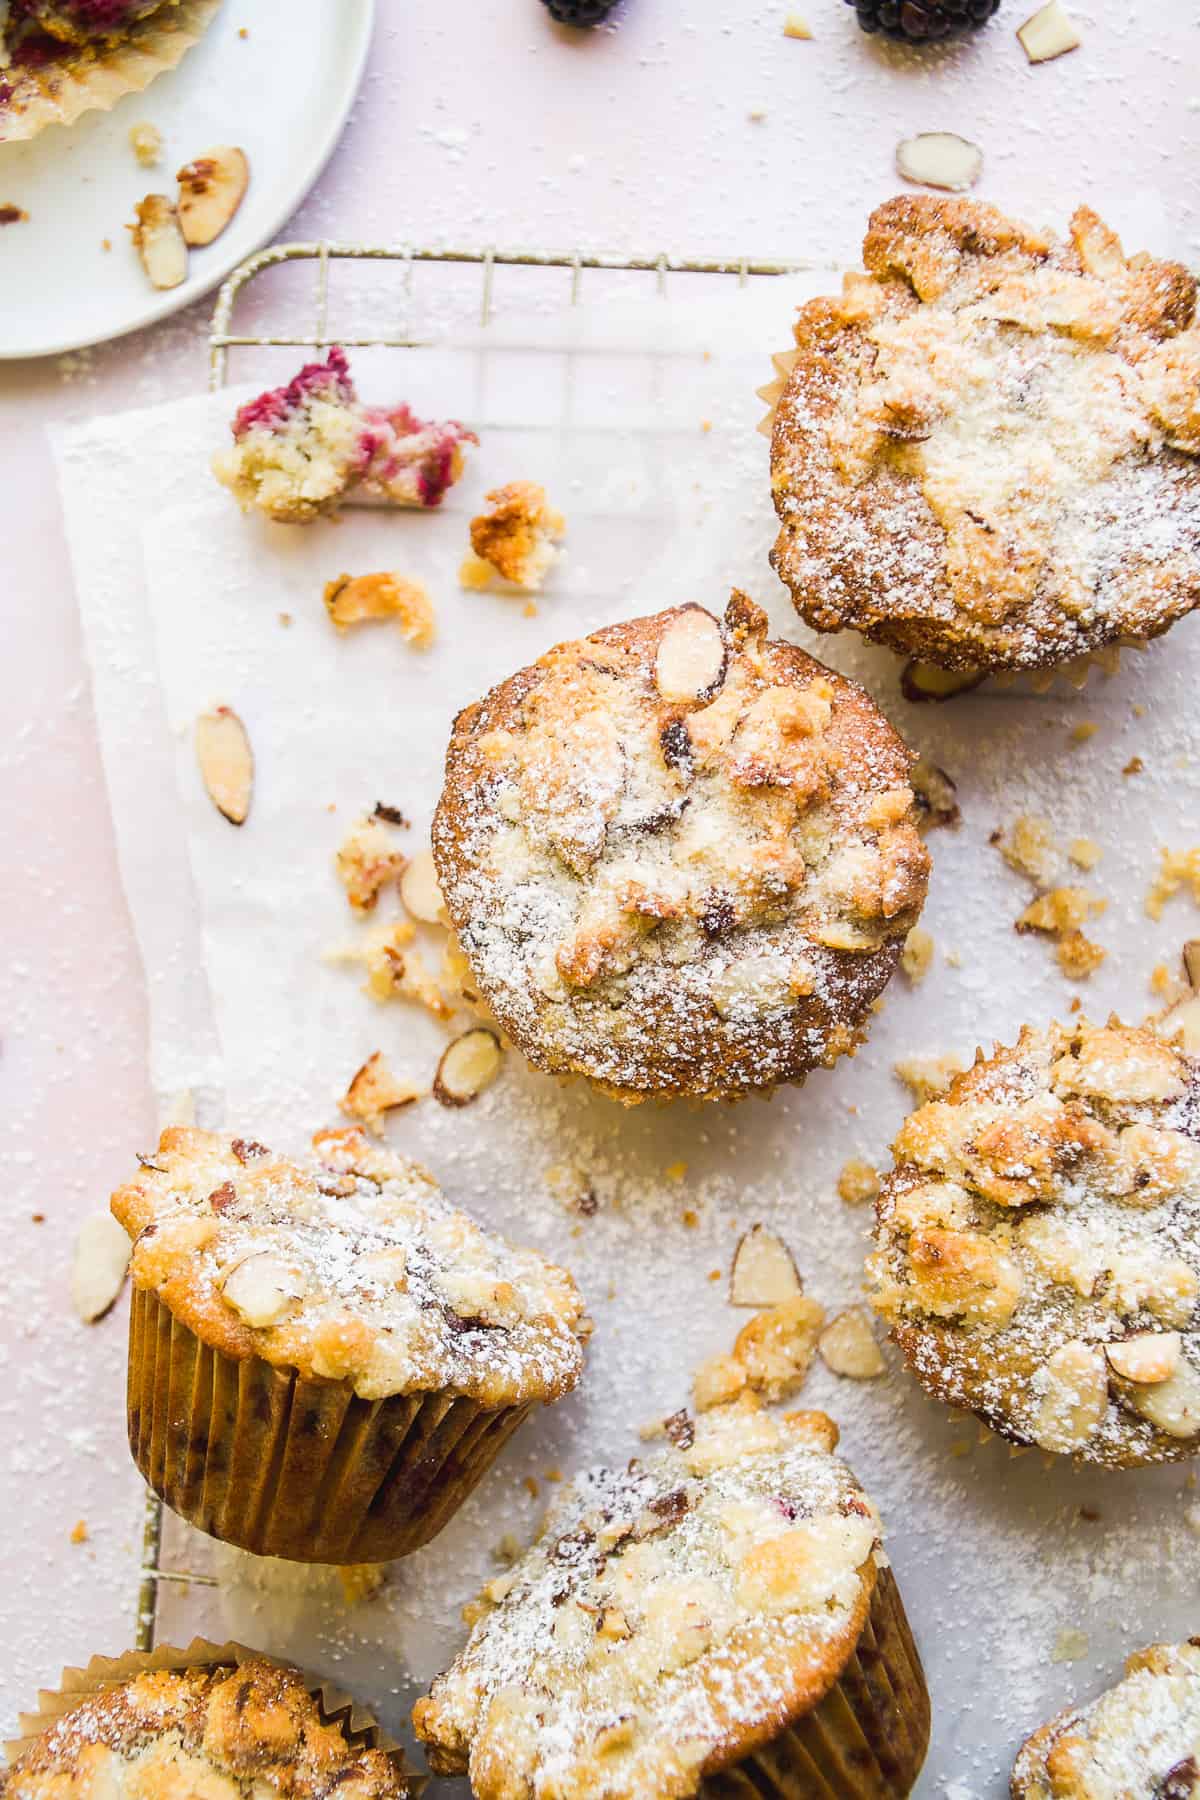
(479, 123)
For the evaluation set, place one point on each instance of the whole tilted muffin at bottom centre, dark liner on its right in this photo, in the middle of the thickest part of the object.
(717, 1621)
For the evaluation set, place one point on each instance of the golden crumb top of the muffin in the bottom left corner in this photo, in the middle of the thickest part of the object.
(228, 1734)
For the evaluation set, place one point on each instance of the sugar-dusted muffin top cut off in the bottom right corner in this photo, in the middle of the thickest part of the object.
(1140, 1741)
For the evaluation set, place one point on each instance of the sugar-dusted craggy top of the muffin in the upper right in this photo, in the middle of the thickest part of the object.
(987, 449)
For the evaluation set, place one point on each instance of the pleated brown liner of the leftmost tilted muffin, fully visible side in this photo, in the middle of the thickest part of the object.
(296, 1468)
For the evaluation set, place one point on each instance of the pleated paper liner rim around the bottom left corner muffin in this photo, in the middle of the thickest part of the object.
(357, 1723)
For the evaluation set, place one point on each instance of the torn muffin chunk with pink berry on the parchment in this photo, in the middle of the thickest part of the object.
(301, 449)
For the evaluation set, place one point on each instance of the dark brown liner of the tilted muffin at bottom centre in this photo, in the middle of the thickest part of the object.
(864, 1741)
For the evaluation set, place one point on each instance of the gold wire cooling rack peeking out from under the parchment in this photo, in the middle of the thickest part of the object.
(323, 334)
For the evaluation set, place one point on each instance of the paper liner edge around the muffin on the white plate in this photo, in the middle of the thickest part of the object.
(96, 80)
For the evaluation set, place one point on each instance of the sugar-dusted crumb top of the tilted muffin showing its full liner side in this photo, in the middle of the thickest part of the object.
(352, 1270)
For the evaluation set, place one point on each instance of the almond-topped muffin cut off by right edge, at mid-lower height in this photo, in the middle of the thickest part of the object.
(1039, 1245)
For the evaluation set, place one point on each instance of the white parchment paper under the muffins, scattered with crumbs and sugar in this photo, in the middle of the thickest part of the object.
(641, 424)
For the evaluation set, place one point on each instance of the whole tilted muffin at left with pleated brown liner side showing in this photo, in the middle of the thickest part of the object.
(325, 1360)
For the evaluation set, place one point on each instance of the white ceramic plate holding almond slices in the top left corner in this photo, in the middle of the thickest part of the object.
(282, 93)
